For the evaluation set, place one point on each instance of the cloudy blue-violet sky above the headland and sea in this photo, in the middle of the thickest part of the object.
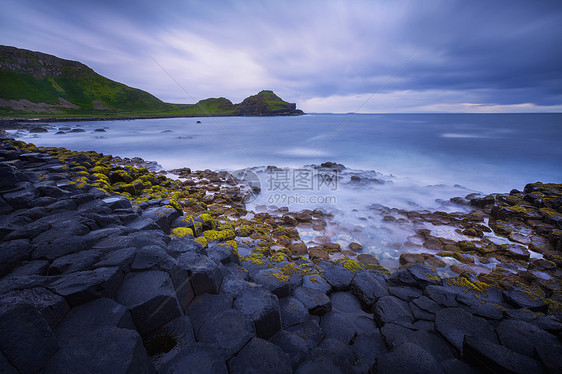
(377, 56)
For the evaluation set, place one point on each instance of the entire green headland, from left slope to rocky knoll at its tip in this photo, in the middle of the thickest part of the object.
(34, 84)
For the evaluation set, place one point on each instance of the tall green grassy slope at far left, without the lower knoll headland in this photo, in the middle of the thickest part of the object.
(42, 78)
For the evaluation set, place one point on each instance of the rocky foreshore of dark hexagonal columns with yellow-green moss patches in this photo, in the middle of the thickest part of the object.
(108, 267)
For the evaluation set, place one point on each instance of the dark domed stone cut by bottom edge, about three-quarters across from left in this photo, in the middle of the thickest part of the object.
(407, 358)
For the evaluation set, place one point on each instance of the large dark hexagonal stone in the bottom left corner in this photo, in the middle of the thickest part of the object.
(27, 340)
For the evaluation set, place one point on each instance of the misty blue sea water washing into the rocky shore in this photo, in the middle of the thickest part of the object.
(404, 161)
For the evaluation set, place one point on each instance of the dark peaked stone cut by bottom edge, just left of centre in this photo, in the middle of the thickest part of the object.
(260, 356)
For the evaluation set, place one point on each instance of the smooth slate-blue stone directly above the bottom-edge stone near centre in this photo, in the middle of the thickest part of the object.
(263, 309)
